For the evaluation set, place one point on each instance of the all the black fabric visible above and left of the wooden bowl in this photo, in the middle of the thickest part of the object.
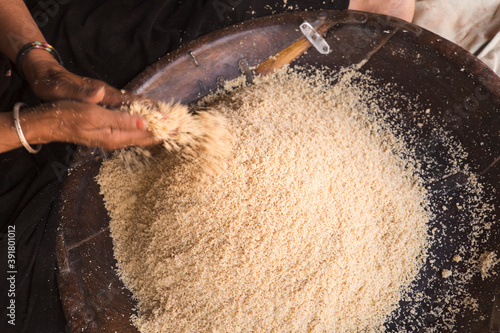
(111, 40)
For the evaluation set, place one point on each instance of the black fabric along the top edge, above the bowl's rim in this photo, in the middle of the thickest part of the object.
(114, 40)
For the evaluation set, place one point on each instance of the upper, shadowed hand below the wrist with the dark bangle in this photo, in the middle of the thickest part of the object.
(51, 82)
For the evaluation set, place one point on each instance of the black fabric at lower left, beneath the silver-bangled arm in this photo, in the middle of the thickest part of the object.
(28, 190)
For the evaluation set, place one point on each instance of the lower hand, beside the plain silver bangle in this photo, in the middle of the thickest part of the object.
(83, 123)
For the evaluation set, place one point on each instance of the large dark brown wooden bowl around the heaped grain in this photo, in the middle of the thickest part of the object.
(462, 91)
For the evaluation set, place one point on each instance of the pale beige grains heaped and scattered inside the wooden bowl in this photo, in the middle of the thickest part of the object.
(317, 222)
